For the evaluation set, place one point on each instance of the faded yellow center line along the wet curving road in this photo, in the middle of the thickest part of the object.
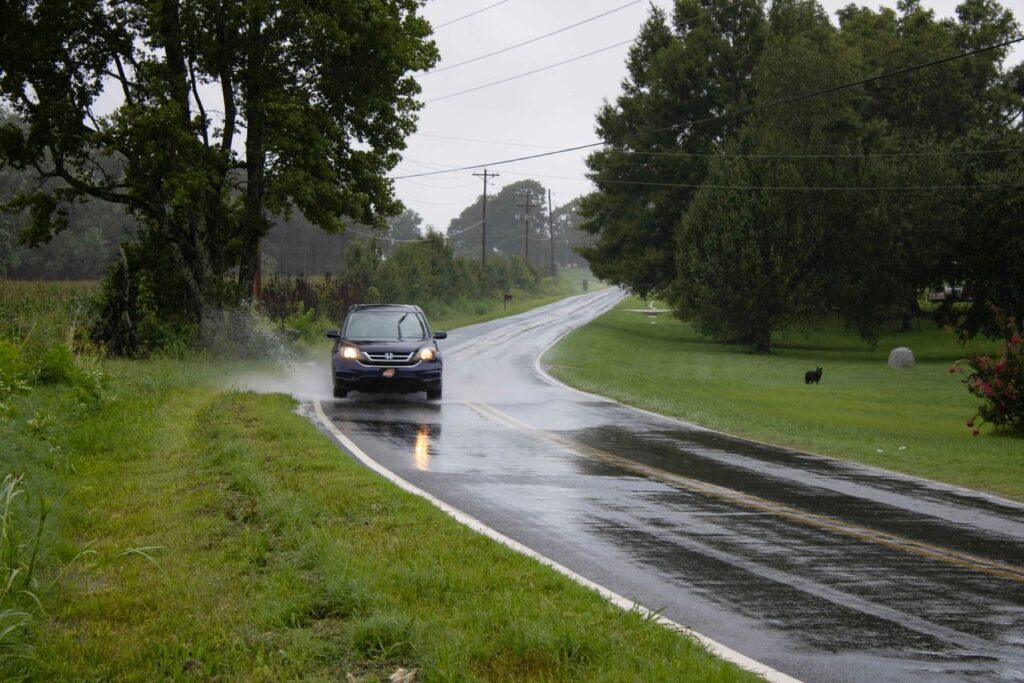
(956, 559)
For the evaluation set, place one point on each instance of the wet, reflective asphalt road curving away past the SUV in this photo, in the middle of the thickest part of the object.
(825, 571)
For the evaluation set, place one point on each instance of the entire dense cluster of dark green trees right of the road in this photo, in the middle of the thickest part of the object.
(799, 195)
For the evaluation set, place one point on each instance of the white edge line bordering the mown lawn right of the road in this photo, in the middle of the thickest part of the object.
(871, 469)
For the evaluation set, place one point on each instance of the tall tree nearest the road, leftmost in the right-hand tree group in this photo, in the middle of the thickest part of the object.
(657, 133)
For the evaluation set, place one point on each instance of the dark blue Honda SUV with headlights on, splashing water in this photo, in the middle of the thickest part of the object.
(388, 349)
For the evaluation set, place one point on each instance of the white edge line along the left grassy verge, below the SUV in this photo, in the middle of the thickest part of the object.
(713, 647)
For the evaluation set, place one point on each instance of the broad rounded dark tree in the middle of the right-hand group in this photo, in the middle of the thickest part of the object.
(836, 219)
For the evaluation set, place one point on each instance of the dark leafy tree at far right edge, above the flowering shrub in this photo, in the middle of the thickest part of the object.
(963, 114)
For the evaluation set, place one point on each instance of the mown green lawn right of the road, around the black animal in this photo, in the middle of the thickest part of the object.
(911, 421)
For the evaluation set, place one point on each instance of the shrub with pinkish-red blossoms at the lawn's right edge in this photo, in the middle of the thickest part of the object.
(999, 381)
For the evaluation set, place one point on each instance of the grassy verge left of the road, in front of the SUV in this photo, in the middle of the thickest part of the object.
(228, 538)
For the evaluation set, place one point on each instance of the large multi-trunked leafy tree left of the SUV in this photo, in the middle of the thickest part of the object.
(222, 115)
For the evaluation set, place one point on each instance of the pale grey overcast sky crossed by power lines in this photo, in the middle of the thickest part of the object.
(546, 111)
